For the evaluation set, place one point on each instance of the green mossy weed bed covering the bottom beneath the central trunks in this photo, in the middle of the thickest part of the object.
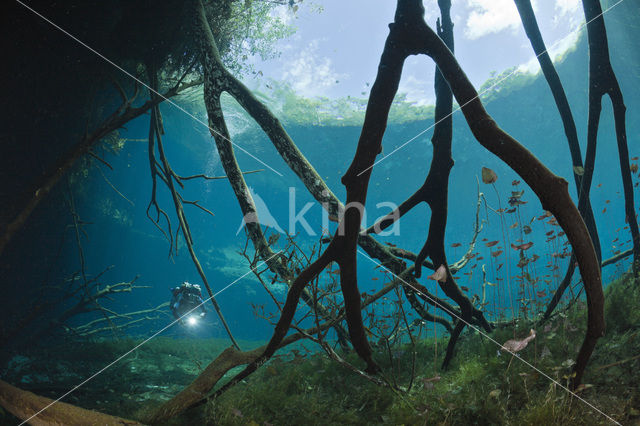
(479, 388)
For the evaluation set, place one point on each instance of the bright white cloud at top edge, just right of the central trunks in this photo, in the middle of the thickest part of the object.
(491, 16)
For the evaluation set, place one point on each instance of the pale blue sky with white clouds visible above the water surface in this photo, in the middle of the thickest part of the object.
(337, 45)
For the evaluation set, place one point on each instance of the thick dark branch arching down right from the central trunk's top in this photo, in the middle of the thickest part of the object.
(549, 188)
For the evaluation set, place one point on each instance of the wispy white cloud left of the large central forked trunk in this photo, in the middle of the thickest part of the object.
(309, 74)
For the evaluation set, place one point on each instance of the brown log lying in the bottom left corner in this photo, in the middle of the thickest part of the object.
(24, 405)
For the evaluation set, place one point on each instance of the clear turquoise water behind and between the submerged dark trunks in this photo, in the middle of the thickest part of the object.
(93, 231)
